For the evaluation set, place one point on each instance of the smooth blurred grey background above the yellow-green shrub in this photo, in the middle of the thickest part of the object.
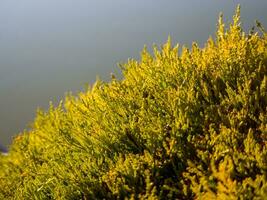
(50, 47)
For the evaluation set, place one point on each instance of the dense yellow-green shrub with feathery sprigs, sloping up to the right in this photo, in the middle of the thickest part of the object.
(187, 124)
